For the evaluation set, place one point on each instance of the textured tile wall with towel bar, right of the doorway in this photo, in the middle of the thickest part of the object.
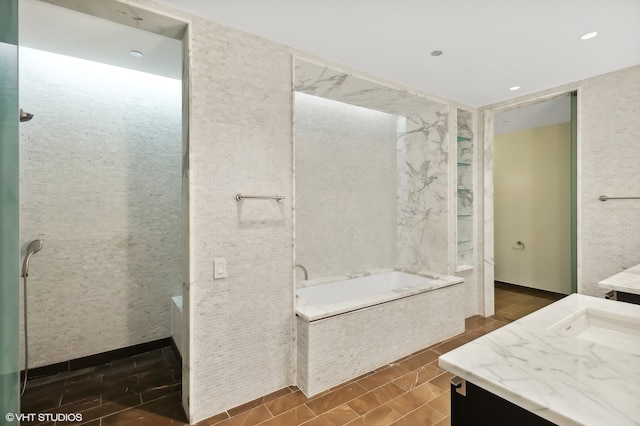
(609, 154)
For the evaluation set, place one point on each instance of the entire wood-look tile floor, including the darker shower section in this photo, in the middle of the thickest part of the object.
(146, 389)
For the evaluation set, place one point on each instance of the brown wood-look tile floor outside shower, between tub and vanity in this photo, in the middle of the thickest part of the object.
(410, 391)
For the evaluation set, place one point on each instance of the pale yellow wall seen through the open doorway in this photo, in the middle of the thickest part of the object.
(532, 204)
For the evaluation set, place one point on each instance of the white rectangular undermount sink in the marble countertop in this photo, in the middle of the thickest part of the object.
(603, 327)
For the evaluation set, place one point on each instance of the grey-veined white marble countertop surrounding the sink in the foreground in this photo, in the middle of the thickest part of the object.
(566, 380)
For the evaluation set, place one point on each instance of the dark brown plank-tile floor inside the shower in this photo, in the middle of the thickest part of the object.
(141, 390)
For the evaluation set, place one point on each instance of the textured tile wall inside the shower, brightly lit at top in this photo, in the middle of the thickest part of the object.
(100, 170)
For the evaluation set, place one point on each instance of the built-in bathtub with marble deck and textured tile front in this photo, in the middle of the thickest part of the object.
(350, 327)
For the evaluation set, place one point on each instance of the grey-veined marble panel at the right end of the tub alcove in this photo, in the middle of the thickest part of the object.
(423, 223)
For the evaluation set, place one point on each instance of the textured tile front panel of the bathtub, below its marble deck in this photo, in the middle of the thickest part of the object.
(339, 348)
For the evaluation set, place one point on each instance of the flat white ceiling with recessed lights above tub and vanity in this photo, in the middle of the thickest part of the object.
(488, 45)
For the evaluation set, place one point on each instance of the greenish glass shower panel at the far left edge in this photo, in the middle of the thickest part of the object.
(9, 253)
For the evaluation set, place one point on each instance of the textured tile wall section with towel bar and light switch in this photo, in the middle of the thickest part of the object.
(240, 141)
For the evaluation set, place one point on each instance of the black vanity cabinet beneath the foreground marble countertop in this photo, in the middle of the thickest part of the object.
(472, 405)
